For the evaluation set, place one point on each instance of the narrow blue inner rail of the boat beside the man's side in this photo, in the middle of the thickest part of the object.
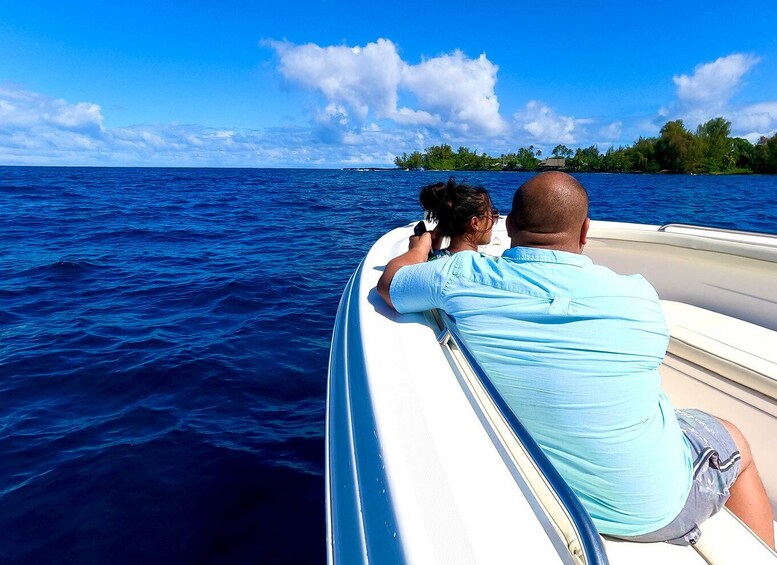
(588, 546)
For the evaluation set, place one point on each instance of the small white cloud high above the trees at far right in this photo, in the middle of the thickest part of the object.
(713, 84)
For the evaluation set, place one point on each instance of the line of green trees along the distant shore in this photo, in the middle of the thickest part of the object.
(710, 149)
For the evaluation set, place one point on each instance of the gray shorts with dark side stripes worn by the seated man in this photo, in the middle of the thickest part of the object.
(716, 462)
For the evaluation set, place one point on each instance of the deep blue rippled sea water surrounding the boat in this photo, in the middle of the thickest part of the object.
(164, 336)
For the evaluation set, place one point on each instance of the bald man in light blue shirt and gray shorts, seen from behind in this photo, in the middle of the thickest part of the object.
(574, 349)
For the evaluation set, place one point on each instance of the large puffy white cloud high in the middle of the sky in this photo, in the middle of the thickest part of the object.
(453, 92)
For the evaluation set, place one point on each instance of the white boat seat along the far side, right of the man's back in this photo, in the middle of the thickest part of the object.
(737, 350)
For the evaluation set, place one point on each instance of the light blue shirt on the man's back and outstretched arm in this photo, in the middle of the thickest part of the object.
(574, 349)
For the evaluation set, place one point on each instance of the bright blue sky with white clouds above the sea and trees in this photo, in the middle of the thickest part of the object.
(324, 83)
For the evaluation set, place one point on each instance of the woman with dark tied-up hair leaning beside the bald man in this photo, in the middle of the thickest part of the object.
(463, 213)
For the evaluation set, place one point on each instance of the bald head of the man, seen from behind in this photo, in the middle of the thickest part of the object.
(550, 210)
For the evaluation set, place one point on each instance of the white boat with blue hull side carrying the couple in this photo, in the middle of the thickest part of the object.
(426, 464)
